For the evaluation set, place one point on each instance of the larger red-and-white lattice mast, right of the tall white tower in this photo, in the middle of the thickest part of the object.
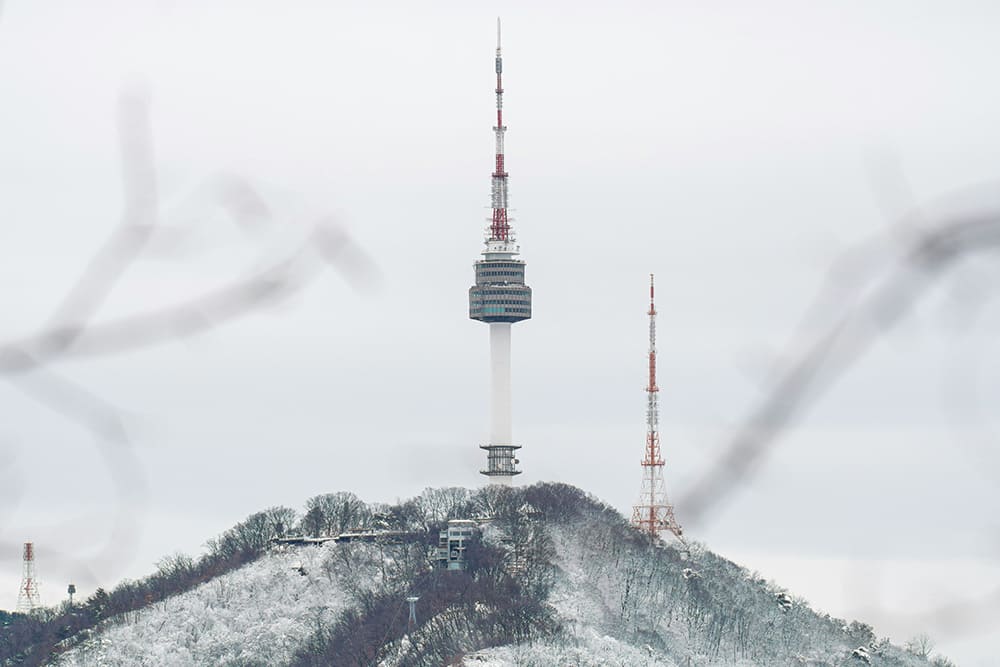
(653, 513)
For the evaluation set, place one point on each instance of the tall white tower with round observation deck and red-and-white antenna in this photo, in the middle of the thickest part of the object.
(500, 298)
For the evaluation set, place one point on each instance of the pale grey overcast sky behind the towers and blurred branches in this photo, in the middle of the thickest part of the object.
(736, 152)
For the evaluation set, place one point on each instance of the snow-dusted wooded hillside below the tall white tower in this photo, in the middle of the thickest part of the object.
(555, 578)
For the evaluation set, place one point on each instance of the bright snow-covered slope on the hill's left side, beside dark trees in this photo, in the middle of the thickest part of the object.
(258, 614)
